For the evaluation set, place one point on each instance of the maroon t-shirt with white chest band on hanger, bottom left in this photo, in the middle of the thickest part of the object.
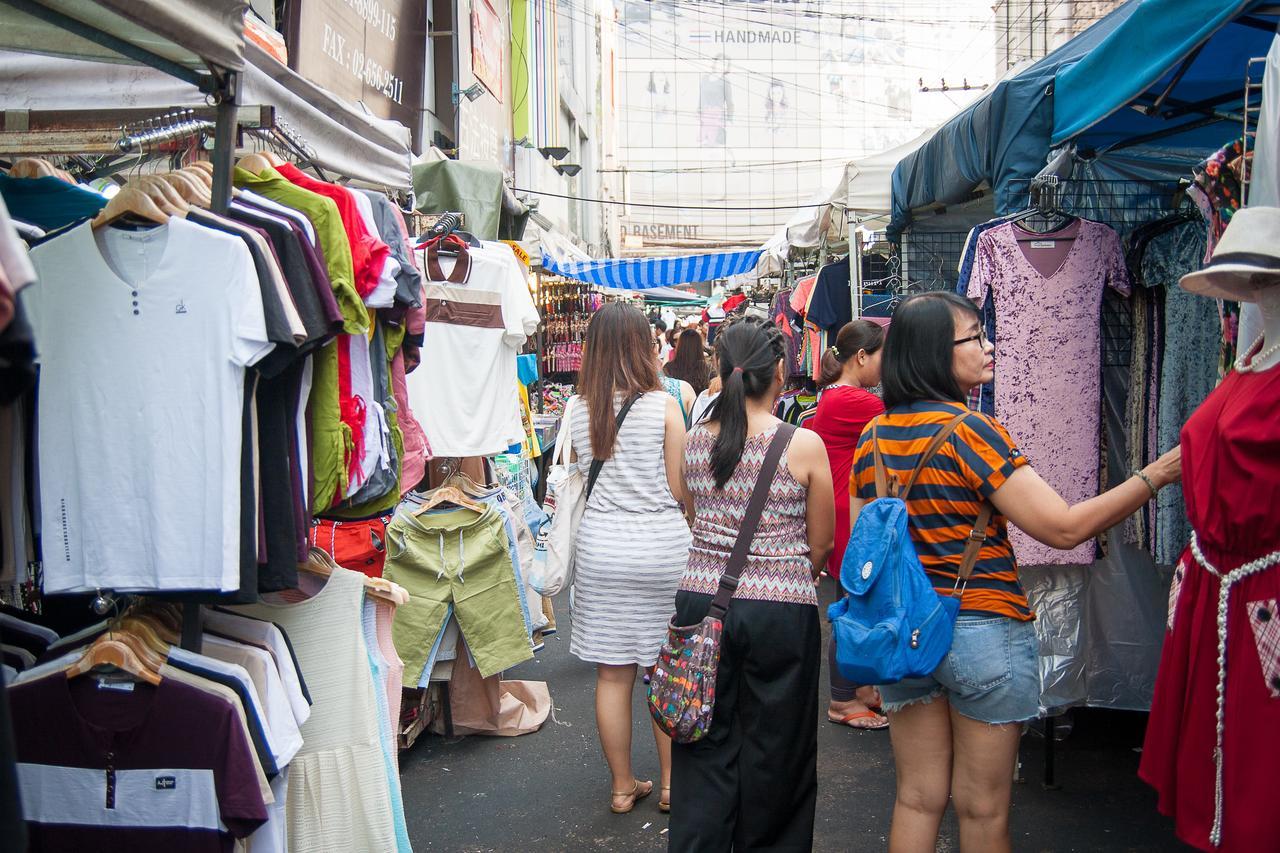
(132, 768)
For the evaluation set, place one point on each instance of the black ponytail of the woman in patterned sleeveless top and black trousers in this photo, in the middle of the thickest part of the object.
(749, 352)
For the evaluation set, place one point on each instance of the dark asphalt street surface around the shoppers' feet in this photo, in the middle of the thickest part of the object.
(550, 791)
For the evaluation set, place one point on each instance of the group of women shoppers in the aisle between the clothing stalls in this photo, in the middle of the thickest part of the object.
(666, 513)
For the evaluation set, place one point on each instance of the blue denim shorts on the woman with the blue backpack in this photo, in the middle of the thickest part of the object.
(991, 674)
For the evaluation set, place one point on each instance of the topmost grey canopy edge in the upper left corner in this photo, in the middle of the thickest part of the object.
(191, 35)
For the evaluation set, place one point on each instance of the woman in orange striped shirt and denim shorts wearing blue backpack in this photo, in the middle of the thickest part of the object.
(954, 480)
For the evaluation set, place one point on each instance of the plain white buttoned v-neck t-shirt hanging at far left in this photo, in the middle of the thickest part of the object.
(143, 340)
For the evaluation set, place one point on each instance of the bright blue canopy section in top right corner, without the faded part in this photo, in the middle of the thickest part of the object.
(1180, 65)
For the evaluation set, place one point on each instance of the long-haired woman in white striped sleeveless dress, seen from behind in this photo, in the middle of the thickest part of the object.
(634, 541)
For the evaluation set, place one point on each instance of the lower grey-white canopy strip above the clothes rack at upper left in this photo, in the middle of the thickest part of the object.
(337, 138)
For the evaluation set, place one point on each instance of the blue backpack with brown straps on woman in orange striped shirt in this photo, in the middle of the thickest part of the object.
(893, 626)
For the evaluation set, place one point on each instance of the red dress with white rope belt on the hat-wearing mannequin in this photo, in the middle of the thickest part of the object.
(1232, 486)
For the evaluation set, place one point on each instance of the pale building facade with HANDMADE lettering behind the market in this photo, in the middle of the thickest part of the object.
(733, 113)
